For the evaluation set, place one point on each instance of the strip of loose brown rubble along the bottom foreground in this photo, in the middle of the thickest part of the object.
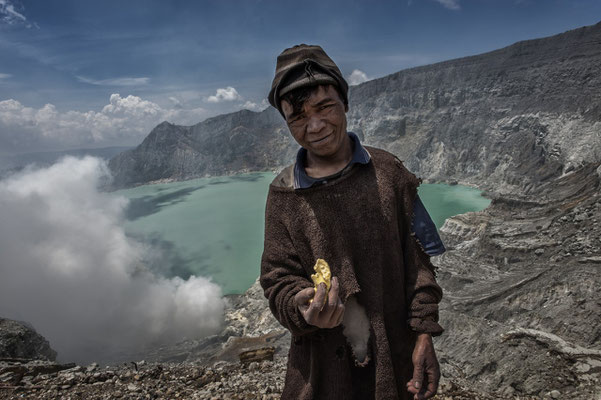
(142, 380)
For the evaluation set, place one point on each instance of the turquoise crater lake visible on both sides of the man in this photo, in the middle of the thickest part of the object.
(213, 227)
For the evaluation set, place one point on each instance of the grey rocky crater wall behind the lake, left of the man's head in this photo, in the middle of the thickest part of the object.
(236, 142)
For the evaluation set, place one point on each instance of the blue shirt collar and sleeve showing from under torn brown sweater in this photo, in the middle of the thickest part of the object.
(424, 228)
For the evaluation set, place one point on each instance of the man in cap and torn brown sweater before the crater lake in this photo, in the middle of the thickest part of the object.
(357, 208)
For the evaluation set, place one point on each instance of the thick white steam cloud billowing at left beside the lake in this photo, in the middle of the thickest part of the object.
(68, 268)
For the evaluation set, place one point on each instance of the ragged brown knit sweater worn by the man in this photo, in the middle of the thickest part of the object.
(361, 225)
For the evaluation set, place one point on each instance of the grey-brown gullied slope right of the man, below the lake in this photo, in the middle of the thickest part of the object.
(521, 304)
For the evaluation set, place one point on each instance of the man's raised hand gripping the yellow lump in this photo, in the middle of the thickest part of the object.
(324, 311)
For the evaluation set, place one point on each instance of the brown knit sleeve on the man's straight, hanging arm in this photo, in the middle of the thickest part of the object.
(422, 291)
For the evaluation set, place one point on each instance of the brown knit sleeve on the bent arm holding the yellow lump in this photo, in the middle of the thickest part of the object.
(282, 275)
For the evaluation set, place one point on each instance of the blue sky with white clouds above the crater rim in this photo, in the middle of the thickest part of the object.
(76, 73)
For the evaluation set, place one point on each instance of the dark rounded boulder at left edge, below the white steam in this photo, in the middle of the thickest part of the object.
(18, 340)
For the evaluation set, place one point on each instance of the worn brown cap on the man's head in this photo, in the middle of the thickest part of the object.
(304, 65)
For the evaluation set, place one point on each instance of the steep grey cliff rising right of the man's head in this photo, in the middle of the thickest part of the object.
(505, 120)
